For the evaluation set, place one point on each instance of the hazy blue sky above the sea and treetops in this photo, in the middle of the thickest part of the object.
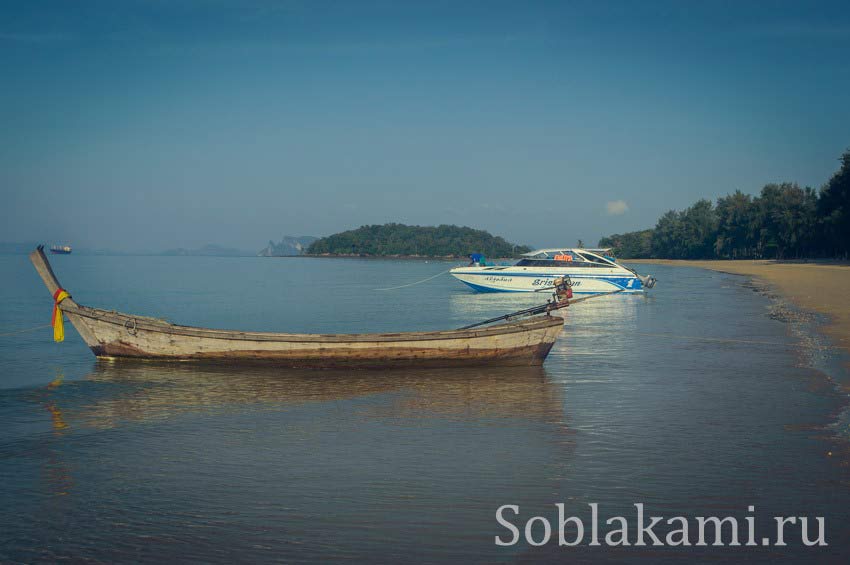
(154, 124)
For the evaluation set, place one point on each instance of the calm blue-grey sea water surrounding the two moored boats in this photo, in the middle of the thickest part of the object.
(692, 400)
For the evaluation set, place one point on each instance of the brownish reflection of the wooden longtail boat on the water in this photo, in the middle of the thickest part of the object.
(155, 390)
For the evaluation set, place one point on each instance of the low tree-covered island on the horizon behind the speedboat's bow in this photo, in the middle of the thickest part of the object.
(395, 240)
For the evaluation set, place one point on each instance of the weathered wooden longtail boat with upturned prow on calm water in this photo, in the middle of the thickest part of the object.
(114, 334)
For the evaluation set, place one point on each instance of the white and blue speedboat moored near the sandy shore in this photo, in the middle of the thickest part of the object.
(591, 271)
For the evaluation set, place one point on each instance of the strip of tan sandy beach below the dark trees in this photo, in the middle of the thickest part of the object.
(820, 287)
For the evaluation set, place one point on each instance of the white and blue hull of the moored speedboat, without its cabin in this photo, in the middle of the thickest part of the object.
(519, 279)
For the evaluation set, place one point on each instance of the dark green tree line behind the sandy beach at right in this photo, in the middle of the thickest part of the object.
(783, 221)
